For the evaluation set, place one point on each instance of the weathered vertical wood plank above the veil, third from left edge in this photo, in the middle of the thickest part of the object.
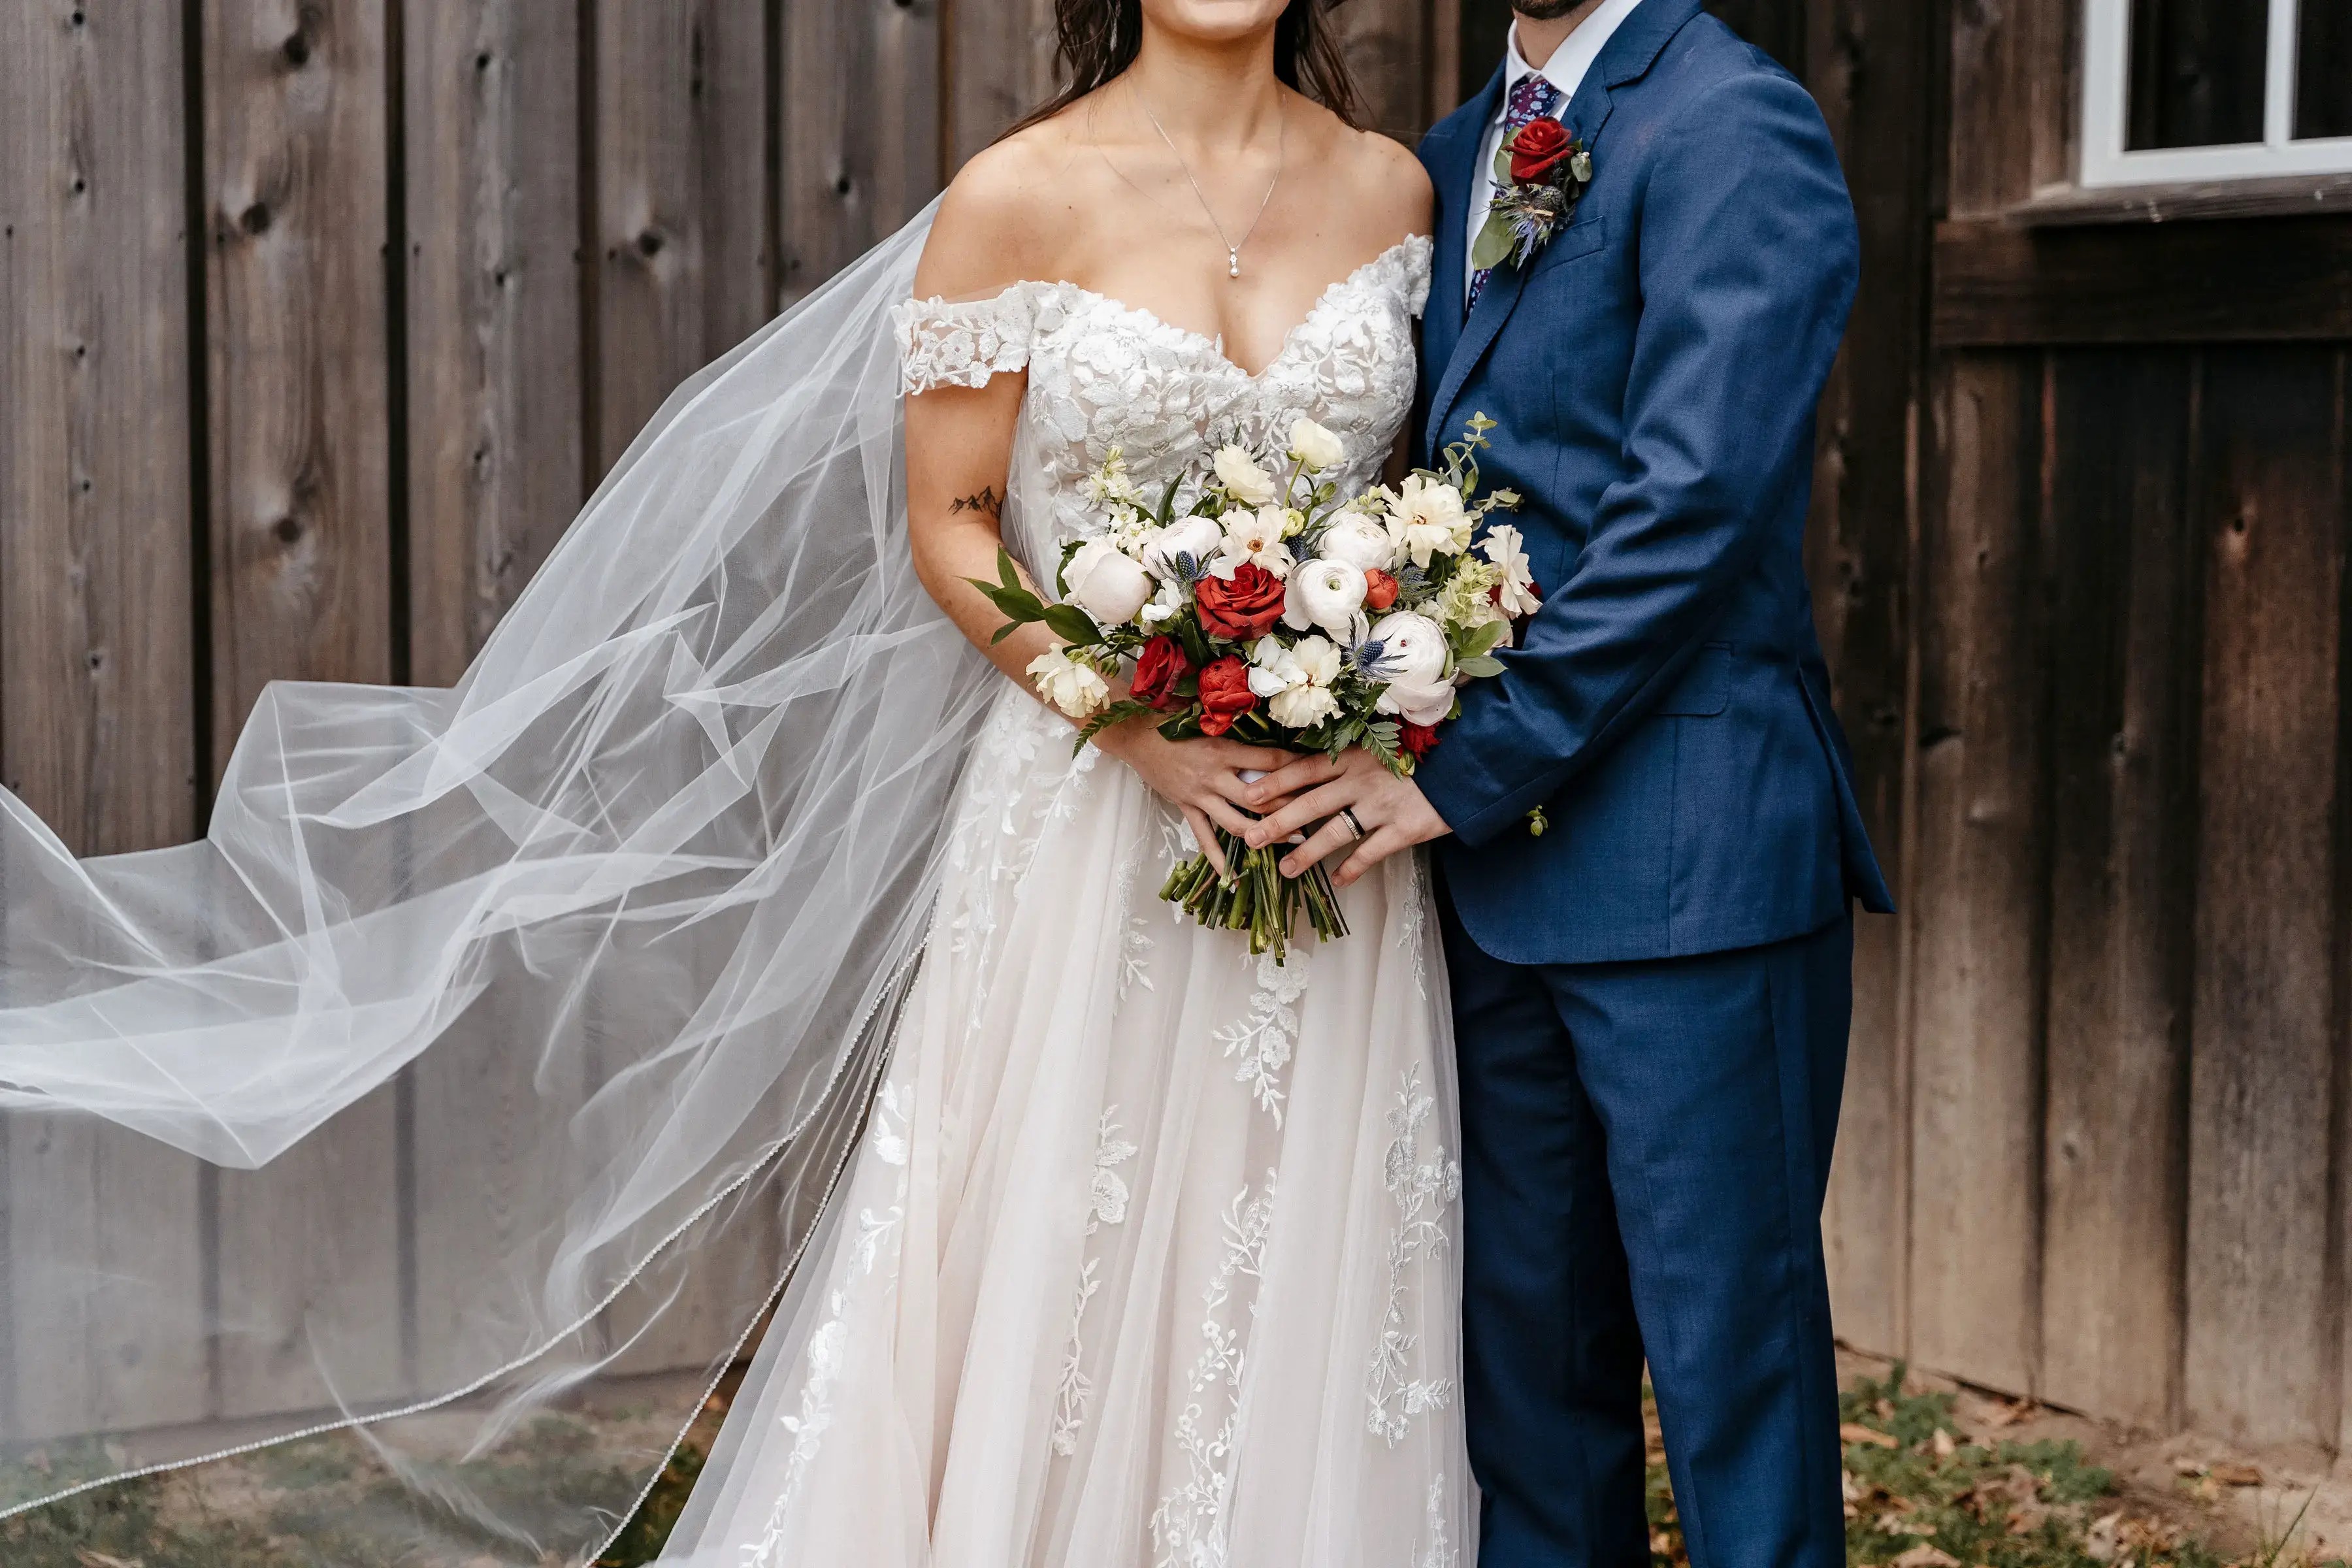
(495, 311)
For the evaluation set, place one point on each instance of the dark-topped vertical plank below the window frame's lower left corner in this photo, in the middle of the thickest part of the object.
(2123, 885)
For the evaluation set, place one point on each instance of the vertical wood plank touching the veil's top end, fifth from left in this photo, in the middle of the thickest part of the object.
(848, 175)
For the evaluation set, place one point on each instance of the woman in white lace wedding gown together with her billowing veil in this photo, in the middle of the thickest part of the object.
(747, 876)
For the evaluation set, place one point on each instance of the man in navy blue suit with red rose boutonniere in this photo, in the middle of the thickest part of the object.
(1648, 836)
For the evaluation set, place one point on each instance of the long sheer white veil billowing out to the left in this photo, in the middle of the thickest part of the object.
(493, 1054)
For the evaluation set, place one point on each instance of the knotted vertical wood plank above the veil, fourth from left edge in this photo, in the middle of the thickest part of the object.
(681, 159)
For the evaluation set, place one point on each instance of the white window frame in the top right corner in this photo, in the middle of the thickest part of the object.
(2106, 114)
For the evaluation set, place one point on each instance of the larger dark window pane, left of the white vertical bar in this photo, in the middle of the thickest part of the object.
(2198, 72)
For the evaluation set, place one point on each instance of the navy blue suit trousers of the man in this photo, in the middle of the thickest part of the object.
(1645, 1155)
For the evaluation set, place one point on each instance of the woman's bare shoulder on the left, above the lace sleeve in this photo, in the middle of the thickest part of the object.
(1008, 215)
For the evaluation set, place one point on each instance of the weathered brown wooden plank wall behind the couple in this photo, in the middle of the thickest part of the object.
(323, 316)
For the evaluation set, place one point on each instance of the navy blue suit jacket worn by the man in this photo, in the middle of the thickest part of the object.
(1657, 373)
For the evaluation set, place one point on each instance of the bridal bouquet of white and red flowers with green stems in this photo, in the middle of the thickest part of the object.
(1255, 601)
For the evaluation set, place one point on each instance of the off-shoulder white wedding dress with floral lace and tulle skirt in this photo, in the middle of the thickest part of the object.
(1149, 1249)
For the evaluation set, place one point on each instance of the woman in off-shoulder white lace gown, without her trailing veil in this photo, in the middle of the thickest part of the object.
(1151, 1259)
